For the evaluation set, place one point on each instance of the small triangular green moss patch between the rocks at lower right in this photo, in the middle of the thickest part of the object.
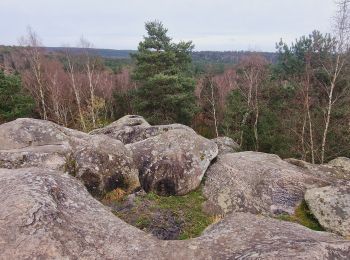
(303, 216)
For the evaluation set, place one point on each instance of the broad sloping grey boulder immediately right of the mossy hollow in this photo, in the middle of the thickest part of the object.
(255, 182)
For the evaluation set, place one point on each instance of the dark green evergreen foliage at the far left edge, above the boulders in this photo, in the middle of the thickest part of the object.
(14, 102)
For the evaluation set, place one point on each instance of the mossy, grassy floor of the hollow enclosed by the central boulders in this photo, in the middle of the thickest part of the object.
(169, 218)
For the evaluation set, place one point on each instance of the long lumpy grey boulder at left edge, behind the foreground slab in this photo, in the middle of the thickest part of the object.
(102, 163)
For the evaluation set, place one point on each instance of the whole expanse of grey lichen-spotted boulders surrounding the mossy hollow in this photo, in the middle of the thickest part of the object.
(51, 179)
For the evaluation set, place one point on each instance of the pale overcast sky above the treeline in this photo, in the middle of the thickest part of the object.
(217, 25)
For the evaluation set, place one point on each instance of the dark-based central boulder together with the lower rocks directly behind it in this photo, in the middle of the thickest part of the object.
(171, 159)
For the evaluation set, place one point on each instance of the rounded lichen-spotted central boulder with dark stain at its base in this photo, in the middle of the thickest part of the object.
(174, 162)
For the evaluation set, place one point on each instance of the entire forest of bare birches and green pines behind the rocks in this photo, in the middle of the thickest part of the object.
(293, 103)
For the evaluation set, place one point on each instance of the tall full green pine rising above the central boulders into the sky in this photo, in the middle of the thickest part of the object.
(165, 91)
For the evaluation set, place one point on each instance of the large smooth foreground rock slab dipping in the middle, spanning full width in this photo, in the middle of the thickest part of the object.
(46, 214)
